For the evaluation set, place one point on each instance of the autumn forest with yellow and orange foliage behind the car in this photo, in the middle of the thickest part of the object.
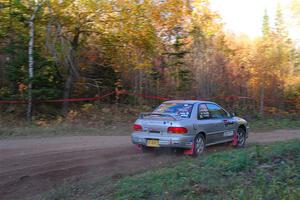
(175, 49)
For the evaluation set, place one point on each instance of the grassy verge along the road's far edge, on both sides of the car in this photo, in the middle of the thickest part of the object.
(119, 128)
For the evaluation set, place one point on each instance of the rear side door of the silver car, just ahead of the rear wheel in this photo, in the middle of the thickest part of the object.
(211, 122)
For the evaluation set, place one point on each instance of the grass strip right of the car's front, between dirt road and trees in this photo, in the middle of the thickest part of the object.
(267, 124)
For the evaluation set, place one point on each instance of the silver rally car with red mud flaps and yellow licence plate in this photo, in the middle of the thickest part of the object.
(190, 125)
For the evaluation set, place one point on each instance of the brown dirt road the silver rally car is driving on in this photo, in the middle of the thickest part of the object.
(29, 167)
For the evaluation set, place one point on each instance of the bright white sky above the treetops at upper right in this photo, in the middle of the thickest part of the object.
(245, 16)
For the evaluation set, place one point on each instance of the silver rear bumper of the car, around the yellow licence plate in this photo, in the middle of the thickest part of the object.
(175, 140)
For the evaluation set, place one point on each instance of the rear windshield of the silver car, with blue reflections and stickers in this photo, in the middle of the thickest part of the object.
(184, 110)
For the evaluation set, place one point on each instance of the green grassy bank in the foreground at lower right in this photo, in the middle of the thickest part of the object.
(260, 172)
